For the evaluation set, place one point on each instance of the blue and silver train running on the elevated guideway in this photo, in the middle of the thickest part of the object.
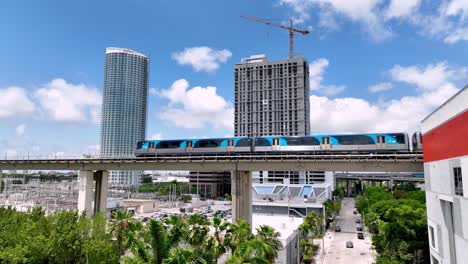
(377, 142)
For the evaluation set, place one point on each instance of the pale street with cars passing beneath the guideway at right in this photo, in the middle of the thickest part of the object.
(335, 242)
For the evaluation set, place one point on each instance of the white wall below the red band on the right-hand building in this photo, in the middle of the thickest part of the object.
(440, 192)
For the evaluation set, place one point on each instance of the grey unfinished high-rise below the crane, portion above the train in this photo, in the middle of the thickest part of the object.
(271, 97)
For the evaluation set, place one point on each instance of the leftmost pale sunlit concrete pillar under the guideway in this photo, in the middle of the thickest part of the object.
(85, 192)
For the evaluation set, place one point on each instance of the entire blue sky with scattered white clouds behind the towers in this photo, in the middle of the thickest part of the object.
(376, 65)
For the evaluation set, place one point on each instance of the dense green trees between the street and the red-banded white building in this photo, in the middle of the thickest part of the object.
(398, 223)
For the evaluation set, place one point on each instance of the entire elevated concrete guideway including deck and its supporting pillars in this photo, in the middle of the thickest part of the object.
(93, 173)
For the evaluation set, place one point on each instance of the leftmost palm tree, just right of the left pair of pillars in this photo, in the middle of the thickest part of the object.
(123, 229)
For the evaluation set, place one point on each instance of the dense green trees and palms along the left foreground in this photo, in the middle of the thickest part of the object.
(70, 237)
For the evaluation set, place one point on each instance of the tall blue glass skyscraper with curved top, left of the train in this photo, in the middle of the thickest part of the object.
(124, 108)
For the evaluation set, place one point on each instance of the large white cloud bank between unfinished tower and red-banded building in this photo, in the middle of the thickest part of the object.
(341, 115)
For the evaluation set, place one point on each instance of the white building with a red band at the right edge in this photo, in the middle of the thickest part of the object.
(445, 146)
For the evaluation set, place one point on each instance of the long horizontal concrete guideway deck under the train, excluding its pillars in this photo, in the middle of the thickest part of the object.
(374, 162)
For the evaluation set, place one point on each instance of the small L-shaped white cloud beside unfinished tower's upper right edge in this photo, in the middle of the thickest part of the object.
(316, 72)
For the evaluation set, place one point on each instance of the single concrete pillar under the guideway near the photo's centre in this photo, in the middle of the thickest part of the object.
(241, 189)
